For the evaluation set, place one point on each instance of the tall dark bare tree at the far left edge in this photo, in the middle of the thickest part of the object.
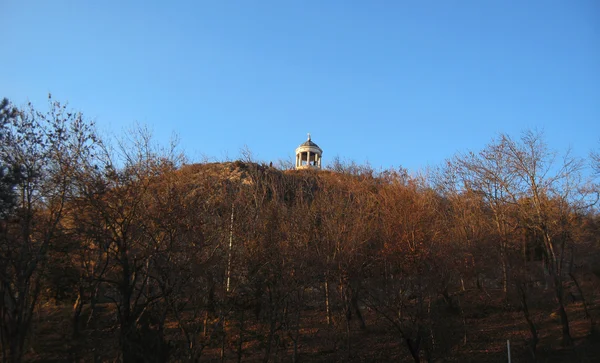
(47, 148)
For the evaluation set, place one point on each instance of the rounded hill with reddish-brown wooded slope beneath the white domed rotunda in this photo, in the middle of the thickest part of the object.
(241, 261)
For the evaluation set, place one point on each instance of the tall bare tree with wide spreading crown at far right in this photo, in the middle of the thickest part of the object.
(526, 177)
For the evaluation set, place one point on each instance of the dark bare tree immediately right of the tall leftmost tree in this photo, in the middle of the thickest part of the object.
(121, 209)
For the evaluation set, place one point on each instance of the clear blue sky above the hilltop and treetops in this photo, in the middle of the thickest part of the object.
(394, 83)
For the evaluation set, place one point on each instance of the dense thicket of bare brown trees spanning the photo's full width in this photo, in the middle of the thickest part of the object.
(240, 261)
